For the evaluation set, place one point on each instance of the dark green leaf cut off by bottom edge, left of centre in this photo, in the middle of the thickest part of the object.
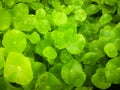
(47, 81)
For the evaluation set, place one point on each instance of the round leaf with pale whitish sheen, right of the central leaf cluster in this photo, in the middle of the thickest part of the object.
(76, 44)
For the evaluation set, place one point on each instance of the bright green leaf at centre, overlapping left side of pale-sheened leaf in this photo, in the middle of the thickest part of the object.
(62, 36)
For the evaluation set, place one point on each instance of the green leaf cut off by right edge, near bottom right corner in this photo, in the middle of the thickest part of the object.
(112, 70)
